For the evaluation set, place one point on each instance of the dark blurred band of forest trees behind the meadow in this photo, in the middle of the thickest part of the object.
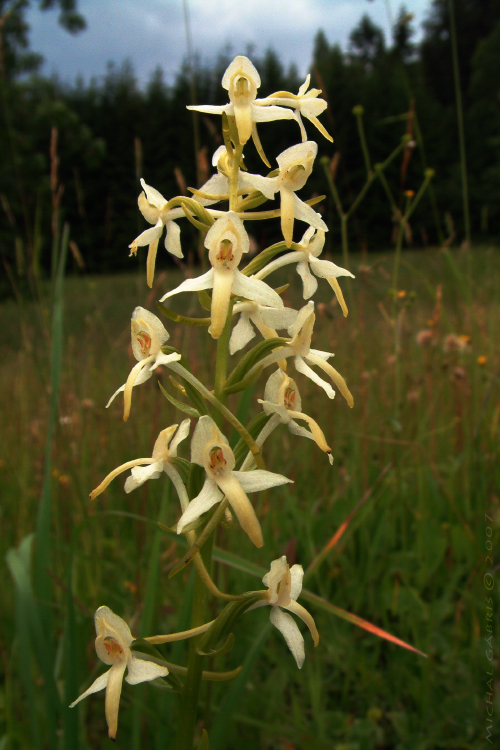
(111, 132)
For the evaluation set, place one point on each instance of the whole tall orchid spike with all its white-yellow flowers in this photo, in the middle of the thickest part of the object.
(243, 297)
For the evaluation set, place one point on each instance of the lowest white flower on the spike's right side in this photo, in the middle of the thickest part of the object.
(285, 584)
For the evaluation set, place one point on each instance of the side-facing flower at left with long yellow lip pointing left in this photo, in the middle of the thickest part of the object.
(143, 469)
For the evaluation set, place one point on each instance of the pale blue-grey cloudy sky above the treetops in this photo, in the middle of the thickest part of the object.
(152, 33)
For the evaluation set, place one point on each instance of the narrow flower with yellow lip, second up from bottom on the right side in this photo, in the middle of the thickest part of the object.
(282, 401)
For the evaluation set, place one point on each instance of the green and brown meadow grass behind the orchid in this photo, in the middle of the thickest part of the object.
(427, 411)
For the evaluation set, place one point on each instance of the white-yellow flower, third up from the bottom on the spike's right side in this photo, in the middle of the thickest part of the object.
(299, 347)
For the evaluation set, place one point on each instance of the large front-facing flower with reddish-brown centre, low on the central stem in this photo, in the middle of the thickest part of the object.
(210, 449)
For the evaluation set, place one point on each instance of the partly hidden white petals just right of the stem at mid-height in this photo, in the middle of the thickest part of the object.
(265, 319)
